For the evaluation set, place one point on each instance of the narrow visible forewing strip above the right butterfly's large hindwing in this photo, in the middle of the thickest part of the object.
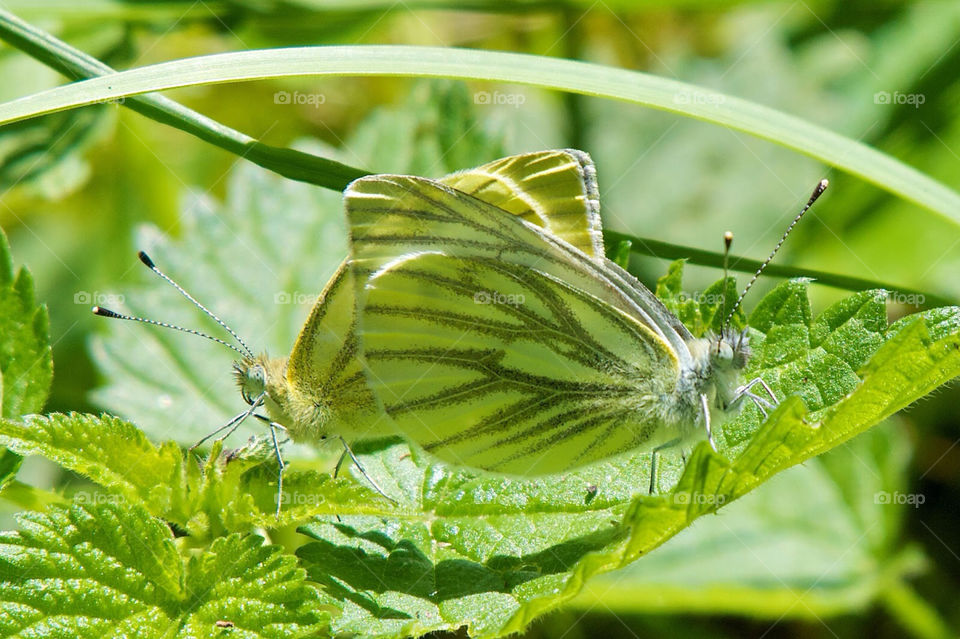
(394, 215)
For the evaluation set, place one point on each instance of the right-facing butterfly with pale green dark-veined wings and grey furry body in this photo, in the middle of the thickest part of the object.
(493, 344)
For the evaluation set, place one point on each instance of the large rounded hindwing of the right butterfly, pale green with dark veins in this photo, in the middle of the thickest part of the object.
(537, 378)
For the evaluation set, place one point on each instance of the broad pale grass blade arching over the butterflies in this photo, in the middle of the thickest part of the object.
(551, 73)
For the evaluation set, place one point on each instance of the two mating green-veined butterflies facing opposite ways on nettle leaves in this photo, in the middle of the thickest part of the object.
(478, 316)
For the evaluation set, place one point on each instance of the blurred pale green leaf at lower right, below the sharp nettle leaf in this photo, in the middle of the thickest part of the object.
(816, 541)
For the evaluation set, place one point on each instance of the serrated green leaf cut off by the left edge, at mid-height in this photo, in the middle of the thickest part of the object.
(26, 363)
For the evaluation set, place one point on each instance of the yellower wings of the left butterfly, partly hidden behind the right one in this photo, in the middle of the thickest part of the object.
(325, 381)
